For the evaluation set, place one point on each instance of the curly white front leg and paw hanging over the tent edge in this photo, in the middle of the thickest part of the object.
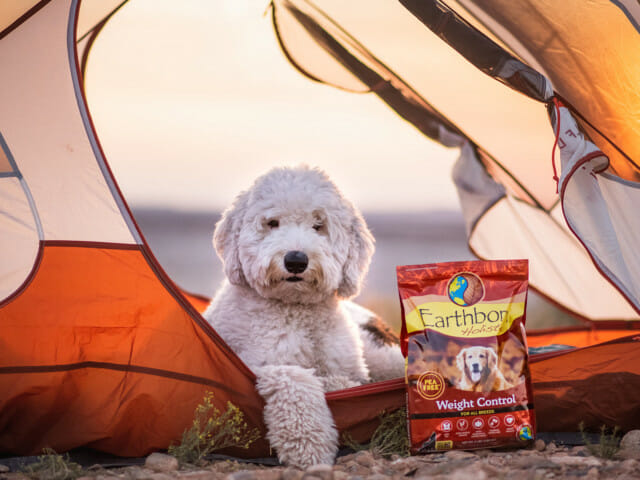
(299, 423)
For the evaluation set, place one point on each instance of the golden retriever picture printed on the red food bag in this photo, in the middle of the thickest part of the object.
(479, 370)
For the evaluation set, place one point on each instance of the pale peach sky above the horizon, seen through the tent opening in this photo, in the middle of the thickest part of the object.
(193, 100)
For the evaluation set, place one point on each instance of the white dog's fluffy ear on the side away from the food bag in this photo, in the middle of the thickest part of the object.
(225, 239)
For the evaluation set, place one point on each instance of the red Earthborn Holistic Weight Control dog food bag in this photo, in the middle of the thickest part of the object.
(463, 338)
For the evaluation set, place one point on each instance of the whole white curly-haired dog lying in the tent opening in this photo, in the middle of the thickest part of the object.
(293, 250)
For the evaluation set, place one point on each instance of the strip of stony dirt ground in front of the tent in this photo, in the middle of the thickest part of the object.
(540, 461)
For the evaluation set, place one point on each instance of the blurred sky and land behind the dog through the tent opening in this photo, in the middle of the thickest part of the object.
(193, 100)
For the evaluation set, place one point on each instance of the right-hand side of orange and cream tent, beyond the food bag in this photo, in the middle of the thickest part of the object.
(491, 68)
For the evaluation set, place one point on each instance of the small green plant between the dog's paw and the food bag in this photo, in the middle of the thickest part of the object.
(390, 437)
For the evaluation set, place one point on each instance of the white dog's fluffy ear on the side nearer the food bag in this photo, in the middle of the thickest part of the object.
(361, 246)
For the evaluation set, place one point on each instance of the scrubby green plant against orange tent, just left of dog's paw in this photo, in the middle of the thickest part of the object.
(213, 430)
